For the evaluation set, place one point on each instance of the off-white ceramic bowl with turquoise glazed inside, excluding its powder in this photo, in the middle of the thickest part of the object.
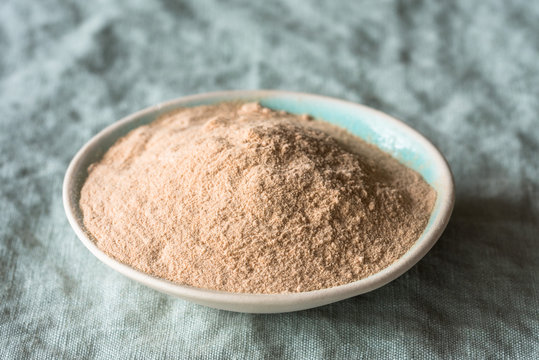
(386, 132)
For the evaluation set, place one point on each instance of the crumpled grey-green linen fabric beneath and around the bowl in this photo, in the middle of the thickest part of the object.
(464, 73)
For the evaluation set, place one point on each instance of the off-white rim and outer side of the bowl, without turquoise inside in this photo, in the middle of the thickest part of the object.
(281, 302)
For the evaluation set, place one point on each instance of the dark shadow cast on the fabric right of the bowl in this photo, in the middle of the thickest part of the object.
(461, 287)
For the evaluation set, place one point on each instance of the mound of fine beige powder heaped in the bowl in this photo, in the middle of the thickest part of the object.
(241, 198)
